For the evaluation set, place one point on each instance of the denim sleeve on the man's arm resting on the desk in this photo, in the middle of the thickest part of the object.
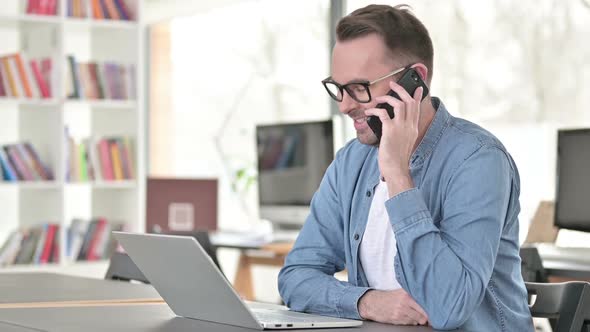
(307, 282)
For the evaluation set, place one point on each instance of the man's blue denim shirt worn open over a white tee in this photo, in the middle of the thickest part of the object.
(456, 232)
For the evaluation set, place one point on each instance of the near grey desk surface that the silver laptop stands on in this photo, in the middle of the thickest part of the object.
(143, 318)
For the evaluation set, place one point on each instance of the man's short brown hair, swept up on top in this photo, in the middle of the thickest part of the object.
(404, 35)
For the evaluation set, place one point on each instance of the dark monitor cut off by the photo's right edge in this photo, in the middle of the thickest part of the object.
(572, 198)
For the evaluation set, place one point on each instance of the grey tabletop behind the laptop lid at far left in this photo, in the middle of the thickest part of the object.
(51, 287)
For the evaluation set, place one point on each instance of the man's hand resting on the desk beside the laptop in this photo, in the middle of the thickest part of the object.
(391, 307)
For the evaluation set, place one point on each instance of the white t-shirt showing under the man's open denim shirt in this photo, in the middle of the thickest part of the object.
(377, 250)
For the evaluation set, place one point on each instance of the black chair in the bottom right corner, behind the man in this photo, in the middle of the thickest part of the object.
(567, 302)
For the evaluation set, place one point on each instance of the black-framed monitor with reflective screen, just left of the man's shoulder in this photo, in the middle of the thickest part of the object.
(292, 159)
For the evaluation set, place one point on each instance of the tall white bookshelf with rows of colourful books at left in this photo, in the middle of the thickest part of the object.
(41, 121)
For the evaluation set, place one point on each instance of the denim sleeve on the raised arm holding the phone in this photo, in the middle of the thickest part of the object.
(446, 269)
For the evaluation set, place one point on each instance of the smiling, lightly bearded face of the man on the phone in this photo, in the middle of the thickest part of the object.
(362, 58)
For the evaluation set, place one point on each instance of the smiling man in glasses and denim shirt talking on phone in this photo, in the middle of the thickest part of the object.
(425, 221)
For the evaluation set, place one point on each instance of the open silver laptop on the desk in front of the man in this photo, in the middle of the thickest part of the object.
(193, 287)
